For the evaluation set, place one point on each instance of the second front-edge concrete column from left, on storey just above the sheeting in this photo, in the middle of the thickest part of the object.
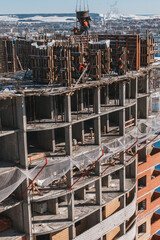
(68, 139)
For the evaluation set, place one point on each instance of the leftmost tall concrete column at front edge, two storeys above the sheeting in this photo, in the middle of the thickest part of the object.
(22, 135)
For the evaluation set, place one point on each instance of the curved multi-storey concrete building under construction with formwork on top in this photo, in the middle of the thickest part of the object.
(79, 151)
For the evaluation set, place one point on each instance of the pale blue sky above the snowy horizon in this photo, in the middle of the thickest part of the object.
(69, 6)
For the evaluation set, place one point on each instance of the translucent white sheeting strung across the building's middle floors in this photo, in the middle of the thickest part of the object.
(54, 171)
